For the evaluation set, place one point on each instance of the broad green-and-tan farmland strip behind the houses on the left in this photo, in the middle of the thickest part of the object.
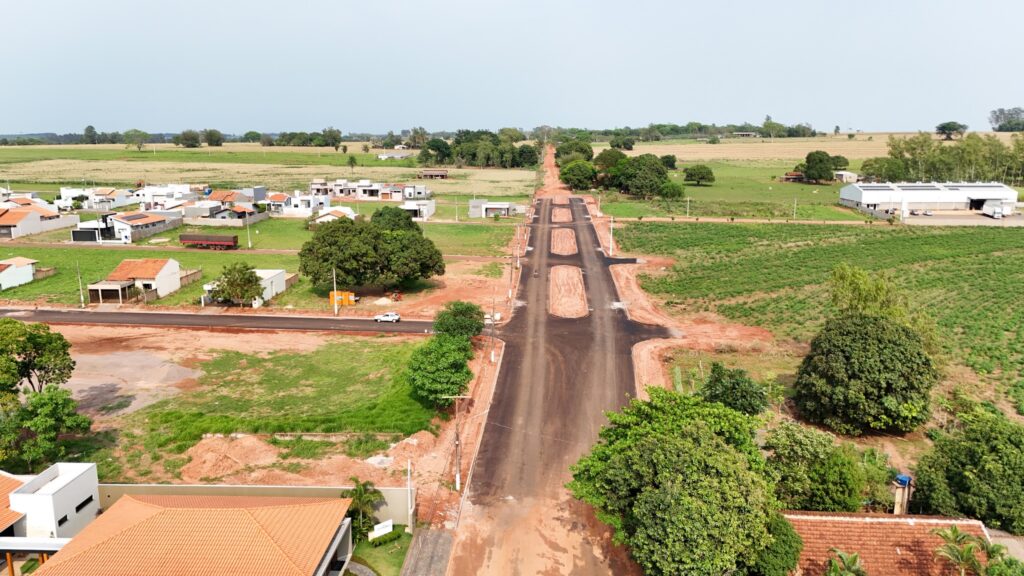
(46, 168)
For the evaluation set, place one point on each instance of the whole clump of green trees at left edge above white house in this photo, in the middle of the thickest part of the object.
(36, 415)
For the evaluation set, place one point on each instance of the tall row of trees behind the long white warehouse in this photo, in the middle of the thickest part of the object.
(976, 158)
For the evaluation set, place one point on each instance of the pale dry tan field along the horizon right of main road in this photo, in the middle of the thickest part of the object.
(864, 146)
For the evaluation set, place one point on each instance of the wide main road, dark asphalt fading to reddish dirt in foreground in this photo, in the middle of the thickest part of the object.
(560, 378)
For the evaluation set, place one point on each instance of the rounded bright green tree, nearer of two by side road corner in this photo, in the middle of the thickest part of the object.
(438, 369)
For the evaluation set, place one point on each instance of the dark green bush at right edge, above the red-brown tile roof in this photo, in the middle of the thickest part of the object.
(977, 472)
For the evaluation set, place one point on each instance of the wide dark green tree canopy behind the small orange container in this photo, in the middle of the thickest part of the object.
(367, 254)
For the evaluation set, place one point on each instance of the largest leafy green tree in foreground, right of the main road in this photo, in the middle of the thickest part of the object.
(662, 492)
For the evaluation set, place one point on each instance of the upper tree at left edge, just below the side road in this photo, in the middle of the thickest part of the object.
(32, 357)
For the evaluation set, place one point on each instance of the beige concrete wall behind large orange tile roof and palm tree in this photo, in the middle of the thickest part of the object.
(399, 503)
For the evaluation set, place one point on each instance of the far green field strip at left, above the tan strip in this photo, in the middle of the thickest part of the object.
(234, 155)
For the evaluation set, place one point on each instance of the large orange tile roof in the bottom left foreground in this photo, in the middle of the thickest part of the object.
(203, 537)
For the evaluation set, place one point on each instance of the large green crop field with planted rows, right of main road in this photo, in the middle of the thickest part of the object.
(967, 279)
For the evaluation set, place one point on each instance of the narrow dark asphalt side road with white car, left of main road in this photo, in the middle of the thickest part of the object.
(236, 321)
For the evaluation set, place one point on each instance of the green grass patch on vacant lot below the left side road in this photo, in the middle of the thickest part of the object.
(353, 385)
